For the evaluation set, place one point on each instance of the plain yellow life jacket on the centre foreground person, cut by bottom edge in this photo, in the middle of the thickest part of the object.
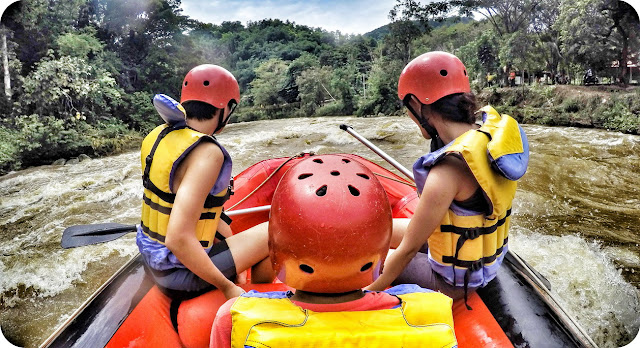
(423, 319)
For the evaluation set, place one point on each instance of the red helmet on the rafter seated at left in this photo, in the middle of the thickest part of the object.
(211, 84)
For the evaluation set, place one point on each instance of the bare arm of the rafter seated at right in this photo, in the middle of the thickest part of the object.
(439, 191)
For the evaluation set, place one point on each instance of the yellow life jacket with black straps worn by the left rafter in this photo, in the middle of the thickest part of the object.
(162, 150)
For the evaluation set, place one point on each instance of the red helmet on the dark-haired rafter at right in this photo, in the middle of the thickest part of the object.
(433, 75)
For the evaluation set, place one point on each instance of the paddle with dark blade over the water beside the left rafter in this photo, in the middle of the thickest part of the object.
(82, 235)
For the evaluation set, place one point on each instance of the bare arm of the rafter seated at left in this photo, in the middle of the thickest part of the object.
(194, 179)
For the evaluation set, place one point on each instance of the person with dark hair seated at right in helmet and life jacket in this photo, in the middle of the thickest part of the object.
(458, 236)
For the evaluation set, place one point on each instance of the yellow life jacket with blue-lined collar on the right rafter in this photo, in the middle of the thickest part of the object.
(468, 247)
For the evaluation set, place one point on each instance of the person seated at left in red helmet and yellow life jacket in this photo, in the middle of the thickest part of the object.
(184, 236)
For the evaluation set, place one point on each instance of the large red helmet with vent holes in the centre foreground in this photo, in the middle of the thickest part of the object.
(330, 225)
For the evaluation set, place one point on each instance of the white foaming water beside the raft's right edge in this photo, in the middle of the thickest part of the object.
(586, 282)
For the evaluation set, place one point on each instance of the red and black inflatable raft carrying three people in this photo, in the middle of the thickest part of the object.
(516, 309)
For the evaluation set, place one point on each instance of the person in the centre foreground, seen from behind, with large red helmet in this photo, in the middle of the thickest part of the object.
(327, 253)
